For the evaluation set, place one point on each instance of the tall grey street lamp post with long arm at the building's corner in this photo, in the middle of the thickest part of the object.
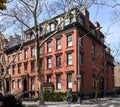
(79, 74)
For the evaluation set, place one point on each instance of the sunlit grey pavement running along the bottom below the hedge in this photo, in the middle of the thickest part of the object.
(104, 102)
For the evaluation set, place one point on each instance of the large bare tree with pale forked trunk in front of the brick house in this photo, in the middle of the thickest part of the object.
(28, 13)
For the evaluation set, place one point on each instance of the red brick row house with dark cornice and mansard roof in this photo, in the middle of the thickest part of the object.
(64, 58)
